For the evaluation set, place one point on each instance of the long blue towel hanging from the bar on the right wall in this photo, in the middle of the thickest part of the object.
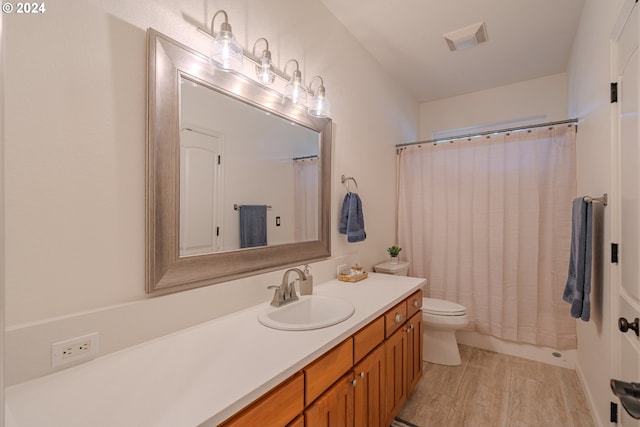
(578, 285)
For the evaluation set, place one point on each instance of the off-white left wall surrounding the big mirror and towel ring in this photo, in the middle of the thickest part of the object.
(75, 163)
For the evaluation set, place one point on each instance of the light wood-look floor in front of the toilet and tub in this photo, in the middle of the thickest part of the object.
(492, 389)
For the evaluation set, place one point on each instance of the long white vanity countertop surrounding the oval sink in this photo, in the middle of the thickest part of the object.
(202, 374)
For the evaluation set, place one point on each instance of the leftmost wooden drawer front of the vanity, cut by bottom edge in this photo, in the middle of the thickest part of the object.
(277, 408)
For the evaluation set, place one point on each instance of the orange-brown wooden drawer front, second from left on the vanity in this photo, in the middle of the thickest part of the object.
(326, 370)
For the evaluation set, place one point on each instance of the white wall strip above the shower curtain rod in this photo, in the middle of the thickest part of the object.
(545, 96)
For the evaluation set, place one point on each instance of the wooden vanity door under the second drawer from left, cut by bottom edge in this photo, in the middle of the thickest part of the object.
(334, 408)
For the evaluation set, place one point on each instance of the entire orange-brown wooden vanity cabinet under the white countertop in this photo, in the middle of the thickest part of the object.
(361, 382)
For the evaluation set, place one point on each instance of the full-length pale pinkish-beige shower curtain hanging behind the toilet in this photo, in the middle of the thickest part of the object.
(487, 221)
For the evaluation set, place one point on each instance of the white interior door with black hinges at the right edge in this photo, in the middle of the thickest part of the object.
(625, 206)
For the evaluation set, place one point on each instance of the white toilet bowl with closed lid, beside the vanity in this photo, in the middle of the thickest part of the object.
(441, 319)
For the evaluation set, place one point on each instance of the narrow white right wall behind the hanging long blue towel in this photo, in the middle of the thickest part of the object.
(589, 77)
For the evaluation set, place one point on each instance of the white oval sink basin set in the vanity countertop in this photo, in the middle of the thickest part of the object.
(309, 312)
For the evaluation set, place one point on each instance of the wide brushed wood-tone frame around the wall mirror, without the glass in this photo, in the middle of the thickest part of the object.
(165, 270)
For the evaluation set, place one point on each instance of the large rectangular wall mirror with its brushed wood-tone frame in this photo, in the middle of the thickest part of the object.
(217, 143)
